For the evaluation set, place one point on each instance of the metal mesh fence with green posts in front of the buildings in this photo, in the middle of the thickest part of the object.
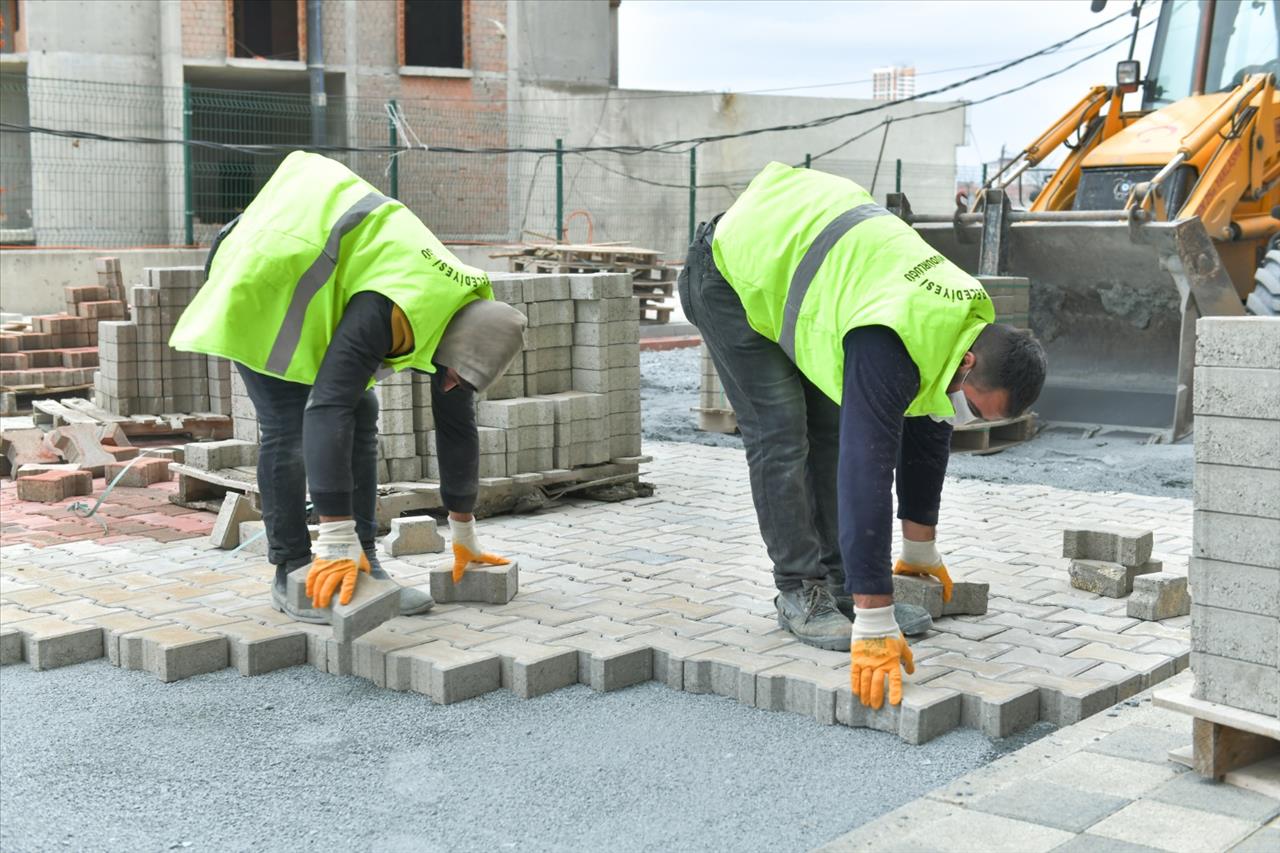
(57, 191)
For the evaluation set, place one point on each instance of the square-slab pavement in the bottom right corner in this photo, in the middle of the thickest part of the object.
(1104, 786)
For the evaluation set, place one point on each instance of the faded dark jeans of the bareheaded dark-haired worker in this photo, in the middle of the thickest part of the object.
(790, 428)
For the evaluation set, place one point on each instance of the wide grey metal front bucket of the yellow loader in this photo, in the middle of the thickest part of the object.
(1116, 307)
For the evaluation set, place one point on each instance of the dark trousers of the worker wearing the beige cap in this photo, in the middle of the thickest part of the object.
(282, 478)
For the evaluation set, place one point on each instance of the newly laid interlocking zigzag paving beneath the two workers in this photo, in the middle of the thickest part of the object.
(674, 589)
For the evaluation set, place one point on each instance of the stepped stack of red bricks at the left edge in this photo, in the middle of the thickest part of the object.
(61, 350)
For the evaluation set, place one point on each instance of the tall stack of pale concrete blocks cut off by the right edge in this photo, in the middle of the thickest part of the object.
(1236, 555)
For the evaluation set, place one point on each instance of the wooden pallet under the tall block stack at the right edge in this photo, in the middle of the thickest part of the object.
(1224, 740)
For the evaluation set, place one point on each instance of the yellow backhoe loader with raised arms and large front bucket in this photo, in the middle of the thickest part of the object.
(1156, 217)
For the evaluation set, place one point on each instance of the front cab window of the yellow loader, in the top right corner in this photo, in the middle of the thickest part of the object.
(1246, 40)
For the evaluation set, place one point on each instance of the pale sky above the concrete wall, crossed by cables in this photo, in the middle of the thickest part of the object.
(735, 45)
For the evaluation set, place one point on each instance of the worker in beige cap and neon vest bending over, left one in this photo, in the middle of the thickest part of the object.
(322, 286)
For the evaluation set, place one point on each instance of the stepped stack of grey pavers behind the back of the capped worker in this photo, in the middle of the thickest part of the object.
(140, 373)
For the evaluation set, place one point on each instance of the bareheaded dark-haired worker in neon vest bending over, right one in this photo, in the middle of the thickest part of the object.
(848, 349)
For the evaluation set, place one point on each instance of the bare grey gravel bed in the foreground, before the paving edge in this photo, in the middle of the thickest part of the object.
(112, 760)
